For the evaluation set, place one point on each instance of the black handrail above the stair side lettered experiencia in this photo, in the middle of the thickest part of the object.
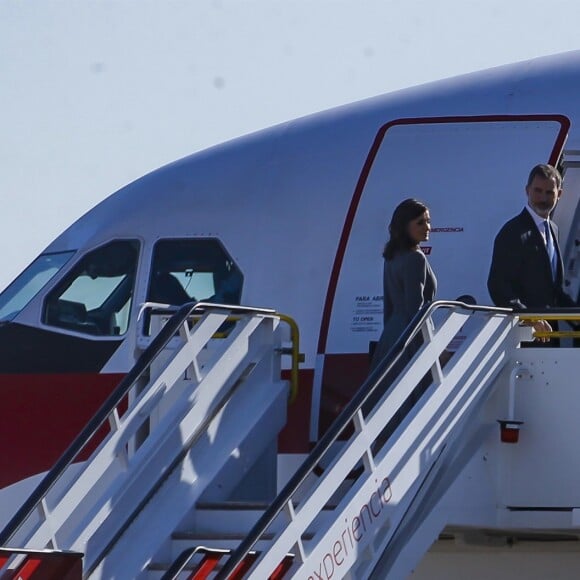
(348, 414)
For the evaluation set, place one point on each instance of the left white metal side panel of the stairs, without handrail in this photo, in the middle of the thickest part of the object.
(226, 395)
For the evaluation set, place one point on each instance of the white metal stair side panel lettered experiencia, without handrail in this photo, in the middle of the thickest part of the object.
(370, 514)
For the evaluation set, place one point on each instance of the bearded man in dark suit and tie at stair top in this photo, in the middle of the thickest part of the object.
(526, 268)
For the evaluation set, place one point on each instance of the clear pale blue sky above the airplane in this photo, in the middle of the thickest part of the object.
(95, 93)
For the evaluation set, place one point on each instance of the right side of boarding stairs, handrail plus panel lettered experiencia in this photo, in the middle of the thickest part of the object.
(369, 507)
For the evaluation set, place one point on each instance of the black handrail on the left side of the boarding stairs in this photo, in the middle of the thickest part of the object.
(158, 343)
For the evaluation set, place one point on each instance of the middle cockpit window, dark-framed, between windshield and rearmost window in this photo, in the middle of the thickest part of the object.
(95, 298)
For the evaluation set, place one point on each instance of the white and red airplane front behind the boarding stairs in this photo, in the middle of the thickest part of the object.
(293, 218)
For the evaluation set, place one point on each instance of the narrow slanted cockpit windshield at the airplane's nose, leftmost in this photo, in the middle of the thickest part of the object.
(30, 282)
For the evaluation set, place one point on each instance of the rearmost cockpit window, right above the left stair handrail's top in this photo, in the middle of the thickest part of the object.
(194, 270)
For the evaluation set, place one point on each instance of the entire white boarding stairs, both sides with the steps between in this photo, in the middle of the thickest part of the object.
(364, 504)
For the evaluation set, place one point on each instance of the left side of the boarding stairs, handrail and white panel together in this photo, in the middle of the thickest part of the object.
(195, 420)
